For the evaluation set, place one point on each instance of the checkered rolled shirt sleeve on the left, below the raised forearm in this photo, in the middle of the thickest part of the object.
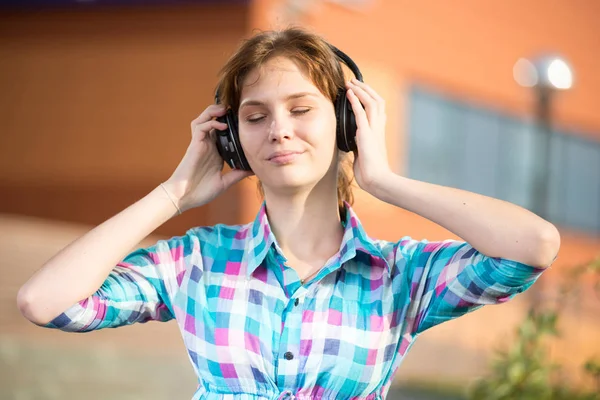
(138, 289)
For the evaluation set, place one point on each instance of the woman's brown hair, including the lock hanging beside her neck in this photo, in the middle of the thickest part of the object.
(312, 54)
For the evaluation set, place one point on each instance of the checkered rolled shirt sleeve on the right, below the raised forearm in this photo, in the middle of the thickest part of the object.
(451, 278)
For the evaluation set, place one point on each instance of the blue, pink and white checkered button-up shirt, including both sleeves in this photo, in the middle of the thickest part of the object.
(253, 331)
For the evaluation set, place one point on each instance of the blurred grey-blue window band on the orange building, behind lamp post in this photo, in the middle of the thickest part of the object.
(457, 144)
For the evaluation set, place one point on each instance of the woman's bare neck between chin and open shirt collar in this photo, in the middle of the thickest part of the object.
(307, 227)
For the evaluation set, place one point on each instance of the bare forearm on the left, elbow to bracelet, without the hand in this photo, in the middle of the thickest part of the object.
(79, 269)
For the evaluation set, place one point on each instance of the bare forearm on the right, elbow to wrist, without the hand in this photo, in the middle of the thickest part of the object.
(494, 227)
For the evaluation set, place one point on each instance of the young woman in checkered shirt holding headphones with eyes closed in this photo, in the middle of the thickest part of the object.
(300, 303)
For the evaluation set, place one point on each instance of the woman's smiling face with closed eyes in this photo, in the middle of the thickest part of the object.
(287, 127)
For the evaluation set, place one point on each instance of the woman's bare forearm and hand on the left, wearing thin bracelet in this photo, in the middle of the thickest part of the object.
(79, 270)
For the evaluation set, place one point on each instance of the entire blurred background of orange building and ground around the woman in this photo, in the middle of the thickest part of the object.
(500, 98)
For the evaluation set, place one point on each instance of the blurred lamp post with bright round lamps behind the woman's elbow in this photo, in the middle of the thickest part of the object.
(546, 75)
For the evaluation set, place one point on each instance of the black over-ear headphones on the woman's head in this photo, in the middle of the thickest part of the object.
(228, 140)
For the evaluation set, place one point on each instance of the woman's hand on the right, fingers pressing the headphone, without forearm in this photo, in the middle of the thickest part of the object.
(370, 161)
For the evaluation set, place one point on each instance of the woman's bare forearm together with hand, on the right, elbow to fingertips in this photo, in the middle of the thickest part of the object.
(494, 227)
